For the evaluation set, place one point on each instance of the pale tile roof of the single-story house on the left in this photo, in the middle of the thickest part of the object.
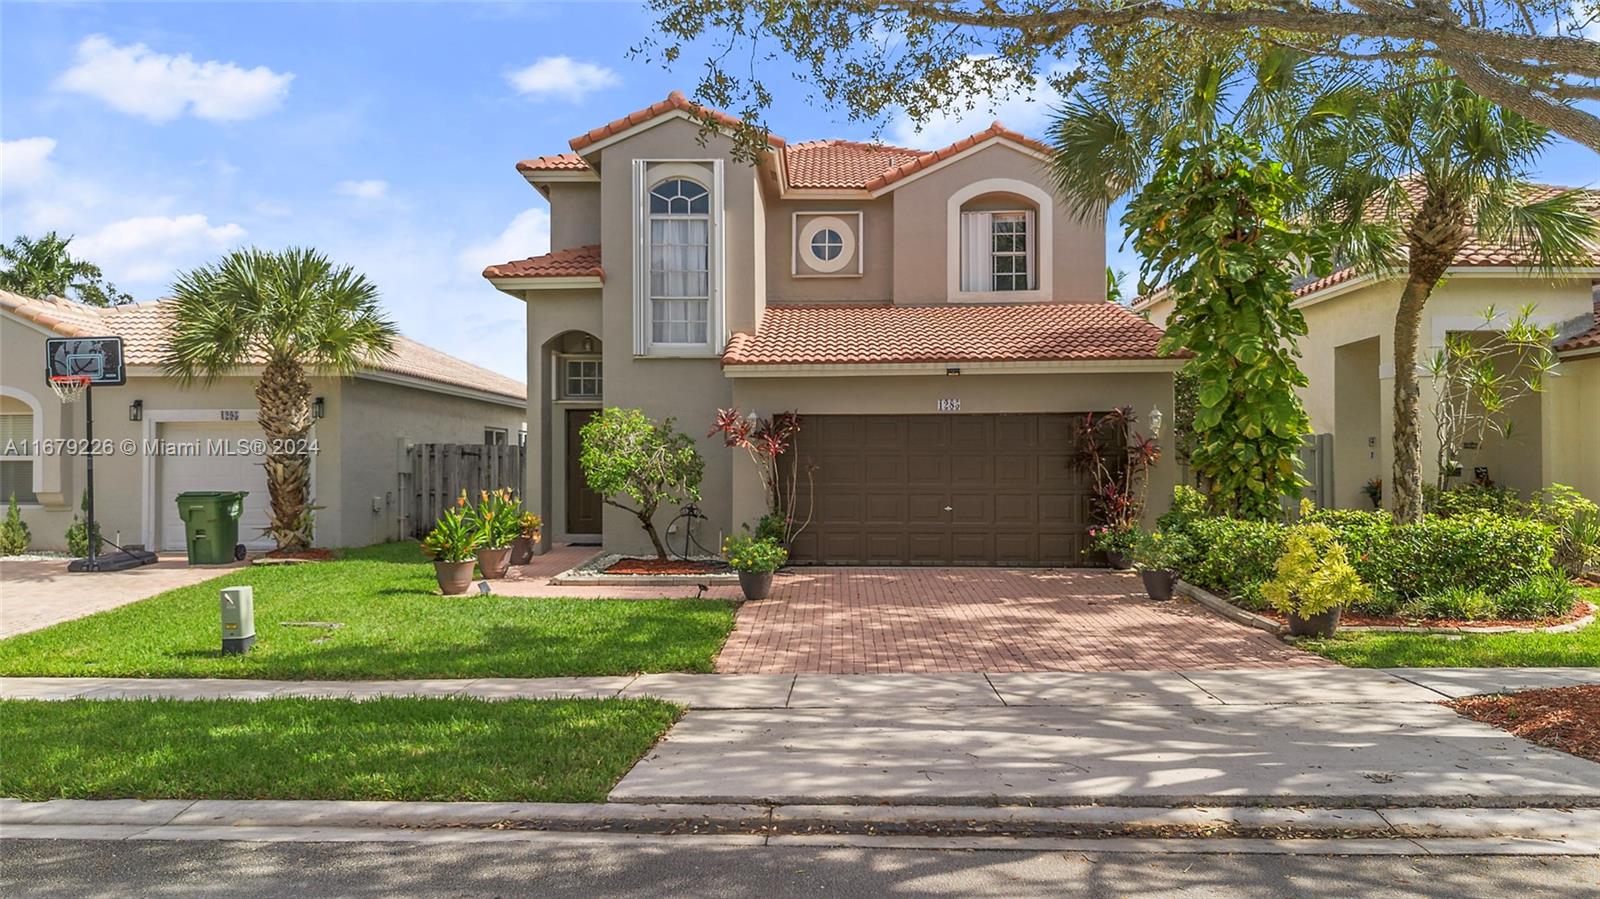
(143, 330)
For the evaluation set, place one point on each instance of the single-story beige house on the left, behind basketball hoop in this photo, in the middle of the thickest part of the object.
(417, 396)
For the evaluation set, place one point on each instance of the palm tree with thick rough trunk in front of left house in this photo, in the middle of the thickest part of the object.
(295, 314)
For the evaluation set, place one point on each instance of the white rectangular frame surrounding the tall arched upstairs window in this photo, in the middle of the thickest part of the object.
(647, 174)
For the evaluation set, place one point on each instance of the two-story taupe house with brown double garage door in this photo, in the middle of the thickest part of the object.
(937, 318)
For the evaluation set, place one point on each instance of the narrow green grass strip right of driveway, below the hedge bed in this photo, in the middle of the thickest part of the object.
(1580, 649)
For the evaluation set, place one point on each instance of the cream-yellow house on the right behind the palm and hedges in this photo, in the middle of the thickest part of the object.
(1348, 356)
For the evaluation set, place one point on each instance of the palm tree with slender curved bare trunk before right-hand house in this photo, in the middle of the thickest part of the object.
(1417, 174)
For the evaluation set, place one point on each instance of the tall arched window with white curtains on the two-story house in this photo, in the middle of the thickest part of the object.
(679, 263)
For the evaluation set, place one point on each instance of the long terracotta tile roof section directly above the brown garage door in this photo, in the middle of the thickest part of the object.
(854, 335)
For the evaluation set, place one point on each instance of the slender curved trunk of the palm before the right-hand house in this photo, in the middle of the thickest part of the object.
(1436, 234)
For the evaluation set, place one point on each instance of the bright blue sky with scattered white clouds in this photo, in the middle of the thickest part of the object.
(383, 134)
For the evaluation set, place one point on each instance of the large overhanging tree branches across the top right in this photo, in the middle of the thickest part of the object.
(929, 57)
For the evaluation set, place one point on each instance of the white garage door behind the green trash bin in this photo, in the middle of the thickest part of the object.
(212, 471)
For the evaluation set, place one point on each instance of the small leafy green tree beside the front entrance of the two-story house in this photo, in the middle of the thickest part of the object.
(625, 453)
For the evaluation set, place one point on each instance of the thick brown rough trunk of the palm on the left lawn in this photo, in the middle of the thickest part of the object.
(284, 396)
